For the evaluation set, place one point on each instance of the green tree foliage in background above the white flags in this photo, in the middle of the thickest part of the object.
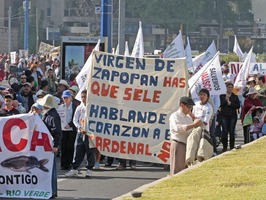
(170, 14)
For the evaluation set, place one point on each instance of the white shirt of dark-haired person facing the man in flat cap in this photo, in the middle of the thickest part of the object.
(204, 113)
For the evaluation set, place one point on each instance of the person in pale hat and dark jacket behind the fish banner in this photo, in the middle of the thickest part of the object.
(52, 121)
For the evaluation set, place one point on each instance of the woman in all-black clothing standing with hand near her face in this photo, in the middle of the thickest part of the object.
(229, 104)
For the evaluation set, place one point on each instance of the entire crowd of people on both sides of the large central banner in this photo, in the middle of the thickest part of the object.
(41, 91)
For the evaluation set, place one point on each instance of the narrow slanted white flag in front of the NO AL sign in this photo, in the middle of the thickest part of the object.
(242, 75)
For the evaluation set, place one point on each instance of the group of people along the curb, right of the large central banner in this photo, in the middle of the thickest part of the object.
(217, 116)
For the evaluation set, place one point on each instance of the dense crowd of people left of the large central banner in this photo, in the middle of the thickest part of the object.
(40, 91)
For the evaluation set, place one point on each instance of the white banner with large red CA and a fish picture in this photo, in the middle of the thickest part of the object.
(26, 157)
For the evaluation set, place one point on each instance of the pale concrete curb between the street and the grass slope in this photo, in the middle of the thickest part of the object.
(138, 192)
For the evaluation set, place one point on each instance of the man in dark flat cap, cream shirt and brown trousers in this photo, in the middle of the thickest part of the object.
(181, 125)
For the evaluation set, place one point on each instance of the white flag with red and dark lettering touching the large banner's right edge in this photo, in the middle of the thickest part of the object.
(209, 77)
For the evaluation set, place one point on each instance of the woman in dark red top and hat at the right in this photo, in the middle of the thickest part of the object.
(250, 102)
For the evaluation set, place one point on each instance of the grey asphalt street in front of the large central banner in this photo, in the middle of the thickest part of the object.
(108, 182)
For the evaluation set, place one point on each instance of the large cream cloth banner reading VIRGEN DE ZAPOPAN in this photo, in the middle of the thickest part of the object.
(129, 104)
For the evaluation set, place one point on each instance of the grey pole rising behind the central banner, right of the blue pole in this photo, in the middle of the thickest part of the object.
(121, 26)
